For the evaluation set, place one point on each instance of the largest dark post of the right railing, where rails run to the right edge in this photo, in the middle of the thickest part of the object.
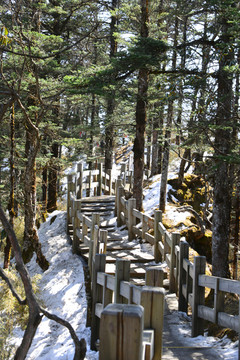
(198, 295)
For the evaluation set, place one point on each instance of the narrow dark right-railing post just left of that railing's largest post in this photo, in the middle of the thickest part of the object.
(184, 254)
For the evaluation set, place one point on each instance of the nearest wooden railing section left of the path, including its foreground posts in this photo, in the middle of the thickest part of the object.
(108, 289)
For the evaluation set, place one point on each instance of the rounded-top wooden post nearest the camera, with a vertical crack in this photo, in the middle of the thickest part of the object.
(121, 330)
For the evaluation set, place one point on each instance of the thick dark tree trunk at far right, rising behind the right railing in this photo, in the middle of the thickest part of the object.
(222, 188)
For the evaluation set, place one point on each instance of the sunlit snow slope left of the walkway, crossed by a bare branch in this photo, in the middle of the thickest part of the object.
(62, 293)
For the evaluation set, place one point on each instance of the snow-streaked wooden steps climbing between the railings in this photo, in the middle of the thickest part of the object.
(118, 246)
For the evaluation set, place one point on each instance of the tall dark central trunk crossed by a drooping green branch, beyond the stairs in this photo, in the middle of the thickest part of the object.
(141, 116)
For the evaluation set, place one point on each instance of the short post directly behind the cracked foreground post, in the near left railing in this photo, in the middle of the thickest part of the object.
(122, 273)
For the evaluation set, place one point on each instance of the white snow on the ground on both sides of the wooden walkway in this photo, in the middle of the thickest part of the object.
(63, 293)
